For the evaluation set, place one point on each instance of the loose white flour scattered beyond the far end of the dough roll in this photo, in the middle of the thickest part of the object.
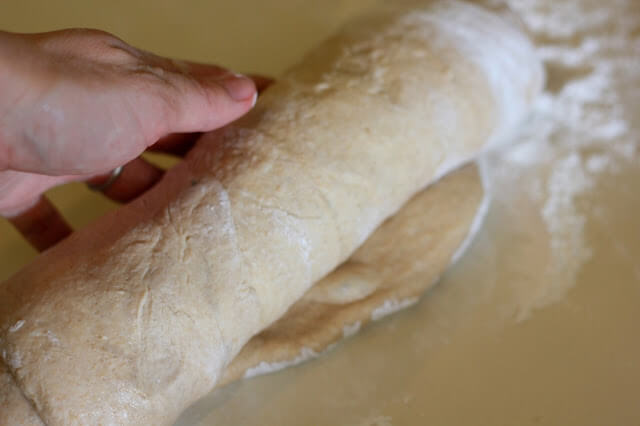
(579, 131)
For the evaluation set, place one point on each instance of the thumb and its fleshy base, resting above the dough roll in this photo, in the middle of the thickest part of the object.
(121, 99)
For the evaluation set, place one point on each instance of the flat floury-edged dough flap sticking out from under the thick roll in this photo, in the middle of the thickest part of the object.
(402, 259)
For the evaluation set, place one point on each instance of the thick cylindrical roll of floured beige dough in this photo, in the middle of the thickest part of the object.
(132, 319)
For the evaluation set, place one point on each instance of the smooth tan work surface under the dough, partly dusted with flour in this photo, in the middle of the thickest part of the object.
(539, 322)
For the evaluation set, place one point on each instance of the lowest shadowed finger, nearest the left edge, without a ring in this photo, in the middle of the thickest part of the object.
(41, 225)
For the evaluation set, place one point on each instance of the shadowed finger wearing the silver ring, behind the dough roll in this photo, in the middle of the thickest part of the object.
(137, 177)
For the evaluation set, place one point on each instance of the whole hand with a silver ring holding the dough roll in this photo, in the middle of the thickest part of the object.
(76, 104)
